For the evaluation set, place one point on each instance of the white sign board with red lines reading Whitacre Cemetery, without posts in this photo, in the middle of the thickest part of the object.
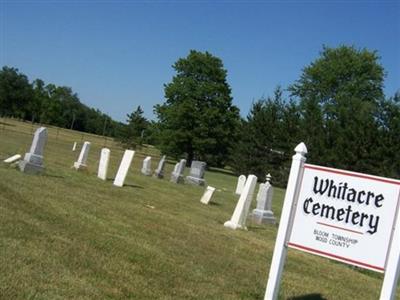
(345, 216)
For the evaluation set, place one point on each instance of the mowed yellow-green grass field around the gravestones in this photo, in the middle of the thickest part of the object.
(68, 235)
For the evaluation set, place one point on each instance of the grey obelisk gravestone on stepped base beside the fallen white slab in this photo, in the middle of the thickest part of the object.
(33, 160)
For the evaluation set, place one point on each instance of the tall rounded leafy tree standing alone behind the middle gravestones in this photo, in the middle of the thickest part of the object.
(198, 119)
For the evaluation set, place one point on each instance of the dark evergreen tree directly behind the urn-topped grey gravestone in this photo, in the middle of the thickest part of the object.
(267, 138)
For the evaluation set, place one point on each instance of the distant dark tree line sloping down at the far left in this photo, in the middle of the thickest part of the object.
(49, 104)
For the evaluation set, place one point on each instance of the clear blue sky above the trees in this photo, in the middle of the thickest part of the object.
(118, 54)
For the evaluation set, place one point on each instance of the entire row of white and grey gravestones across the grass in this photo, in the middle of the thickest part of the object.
(33, 163)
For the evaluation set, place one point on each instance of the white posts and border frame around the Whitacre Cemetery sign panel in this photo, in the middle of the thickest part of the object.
(392, 260)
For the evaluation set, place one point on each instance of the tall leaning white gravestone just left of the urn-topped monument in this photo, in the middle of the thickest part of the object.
(239, 216)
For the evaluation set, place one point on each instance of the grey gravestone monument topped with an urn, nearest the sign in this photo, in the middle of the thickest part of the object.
(263, 213)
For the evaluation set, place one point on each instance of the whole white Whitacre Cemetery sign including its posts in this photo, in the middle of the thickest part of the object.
(345, 216)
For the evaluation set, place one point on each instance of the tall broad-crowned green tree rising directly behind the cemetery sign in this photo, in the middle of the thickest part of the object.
(339, 95)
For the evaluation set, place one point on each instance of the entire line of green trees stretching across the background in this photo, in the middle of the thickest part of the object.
(337, 107)
